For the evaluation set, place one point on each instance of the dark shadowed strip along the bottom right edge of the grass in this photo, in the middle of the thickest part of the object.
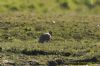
(72, 62)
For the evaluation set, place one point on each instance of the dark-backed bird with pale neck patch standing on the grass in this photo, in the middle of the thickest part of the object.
(45, 37)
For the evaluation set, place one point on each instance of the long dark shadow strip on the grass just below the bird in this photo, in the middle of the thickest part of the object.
(40, 52)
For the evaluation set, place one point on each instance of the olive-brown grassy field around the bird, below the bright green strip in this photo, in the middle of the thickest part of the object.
(75, 40)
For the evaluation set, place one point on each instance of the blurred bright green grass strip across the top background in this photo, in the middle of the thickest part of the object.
(58, 6)
